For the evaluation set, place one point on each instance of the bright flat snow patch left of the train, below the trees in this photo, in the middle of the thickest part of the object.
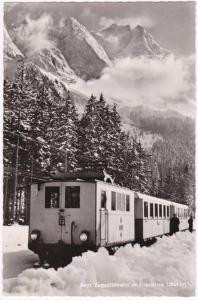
(15, 238)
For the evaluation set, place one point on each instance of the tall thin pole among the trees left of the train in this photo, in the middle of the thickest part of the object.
(14, 204)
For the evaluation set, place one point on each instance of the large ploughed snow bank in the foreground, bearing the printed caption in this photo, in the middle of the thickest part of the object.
(167, 268)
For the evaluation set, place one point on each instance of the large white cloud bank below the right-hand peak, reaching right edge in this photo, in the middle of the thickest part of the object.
(159, 84)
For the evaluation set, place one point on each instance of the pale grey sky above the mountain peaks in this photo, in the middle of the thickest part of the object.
(171, 23)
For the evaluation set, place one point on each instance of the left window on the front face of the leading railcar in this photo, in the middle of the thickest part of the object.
(52, 195)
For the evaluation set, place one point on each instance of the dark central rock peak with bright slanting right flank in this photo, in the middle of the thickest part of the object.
(81, 50)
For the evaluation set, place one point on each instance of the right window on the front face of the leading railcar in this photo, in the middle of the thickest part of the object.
(72, 197)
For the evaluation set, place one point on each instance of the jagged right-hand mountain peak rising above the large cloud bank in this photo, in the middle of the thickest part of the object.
(122, 41)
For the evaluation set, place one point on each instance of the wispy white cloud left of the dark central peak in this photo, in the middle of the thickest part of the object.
(33, 34)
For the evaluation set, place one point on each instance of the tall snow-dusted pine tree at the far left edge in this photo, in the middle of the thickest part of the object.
(17, 99)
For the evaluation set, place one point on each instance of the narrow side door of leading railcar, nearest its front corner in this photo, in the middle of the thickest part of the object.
(103, 219)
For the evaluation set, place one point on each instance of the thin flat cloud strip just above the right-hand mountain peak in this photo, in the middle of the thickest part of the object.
(142, 20)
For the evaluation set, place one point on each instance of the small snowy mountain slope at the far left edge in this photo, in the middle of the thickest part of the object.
(10, 50)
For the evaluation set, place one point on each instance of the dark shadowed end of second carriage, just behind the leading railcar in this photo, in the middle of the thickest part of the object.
(138, 215)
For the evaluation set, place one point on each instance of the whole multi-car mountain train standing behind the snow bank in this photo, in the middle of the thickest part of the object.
(72, 214)
